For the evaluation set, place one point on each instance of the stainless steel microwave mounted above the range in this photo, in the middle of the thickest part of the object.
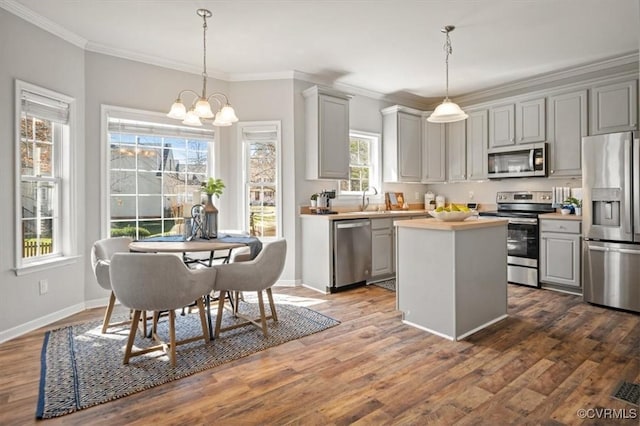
(518, 161)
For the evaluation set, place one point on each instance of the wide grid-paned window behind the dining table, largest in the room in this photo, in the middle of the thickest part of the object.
(155, 171)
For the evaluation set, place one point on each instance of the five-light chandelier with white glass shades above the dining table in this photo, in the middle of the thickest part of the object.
(201, 106)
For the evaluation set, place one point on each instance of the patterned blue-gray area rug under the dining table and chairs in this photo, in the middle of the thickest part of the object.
(80, 367)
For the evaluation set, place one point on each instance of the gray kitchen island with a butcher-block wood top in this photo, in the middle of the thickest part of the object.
(451, 276)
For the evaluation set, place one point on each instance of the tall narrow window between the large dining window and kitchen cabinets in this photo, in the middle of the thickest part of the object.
(261, 178)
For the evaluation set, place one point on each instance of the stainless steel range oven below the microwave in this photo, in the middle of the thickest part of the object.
(522, 209)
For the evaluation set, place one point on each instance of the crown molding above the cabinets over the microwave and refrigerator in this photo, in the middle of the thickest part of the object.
(622, 63)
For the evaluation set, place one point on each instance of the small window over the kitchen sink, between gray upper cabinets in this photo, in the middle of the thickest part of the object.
(363, 164)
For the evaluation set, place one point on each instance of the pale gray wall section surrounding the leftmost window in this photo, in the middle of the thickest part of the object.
(35, 56)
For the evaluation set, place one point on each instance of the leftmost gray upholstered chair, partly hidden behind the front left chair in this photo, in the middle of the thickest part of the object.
(101, 254)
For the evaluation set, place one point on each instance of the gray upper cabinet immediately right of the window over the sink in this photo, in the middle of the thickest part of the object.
(402, 144)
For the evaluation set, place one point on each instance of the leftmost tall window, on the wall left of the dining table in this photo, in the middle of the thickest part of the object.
(43, 155)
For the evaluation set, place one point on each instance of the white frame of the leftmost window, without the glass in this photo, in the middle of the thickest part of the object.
(64, 227)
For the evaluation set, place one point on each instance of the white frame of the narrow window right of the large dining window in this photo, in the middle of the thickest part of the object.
(260, 125)
